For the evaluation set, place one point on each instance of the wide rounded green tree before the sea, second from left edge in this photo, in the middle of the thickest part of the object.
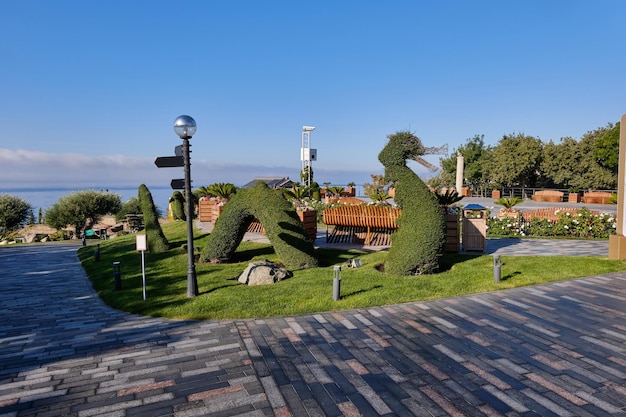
(81, 209)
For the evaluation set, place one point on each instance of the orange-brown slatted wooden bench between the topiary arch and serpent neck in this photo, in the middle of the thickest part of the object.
(370, 225)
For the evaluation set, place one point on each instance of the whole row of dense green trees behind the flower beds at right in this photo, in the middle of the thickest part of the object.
(524, 161)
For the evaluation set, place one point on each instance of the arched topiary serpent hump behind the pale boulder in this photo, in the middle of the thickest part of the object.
(284, 230)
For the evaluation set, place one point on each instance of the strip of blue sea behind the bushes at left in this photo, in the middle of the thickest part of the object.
(44, 197)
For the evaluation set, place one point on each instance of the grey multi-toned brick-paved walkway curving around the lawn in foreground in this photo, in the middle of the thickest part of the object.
(549, 350)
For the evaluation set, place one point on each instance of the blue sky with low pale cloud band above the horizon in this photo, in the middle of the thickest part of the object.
(90, 89)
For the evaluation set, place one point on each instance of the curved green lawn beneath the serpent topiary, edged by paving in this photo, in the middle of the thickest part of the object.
(308, 291)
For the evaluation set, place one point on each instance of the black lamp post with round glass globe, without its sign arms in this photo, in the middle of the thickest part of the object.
(185, 127)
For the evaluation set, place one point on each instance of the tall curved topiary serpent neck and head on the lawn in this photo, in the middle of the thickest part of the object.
(418, 244)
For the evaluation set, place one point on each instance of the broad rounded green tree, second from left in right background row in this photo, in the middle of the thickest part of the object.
(515, 161)
